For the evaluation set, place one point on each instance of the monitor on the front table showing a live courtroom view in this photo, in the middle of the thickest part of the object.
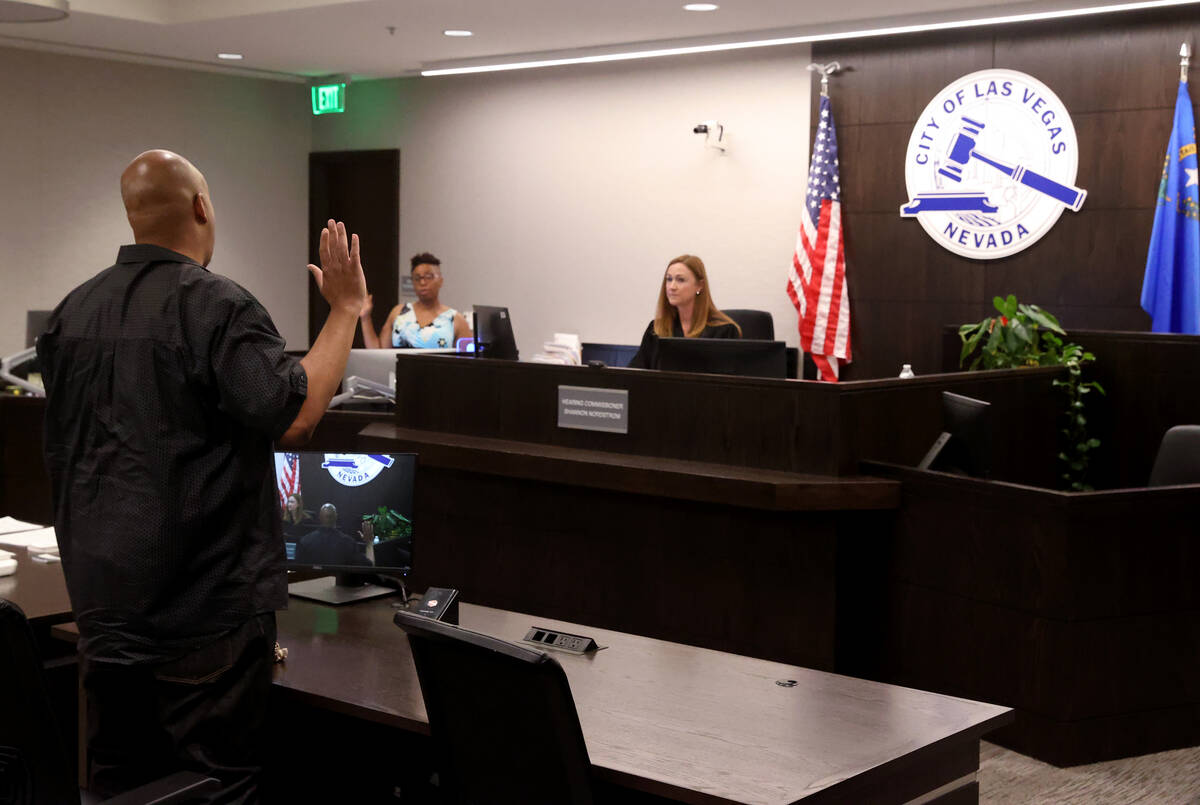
(349, 514)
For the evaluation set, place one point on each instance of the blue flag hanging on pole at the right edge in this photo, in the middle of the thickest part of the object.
(1171, 292)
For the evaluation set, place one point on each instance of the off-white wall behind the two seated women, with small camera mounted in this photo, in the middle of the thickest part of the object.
(563, 193)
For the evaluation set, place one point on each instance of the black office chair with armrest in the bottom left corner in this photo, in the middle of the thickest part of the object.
(34, 766)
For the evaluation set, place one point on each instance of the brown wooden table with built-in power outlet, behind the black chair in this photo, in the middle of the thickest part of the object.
(676, 722)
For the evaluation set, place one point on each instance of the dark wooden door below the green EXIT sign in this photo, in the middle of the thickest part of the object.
(363, 190)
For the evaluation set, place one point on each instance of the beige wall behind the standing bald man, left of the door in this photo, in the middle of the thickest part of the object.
(70, 125)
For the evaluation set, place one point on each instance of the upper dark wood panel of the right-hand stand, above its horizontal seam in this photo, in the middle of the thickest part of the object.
(1066, 556)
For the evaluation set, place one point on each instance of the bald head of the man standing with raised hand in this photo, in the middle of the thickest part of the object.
(169, 205)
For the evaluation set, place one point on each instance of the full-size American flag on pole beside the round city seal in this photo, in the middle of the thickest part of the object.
(817, 284)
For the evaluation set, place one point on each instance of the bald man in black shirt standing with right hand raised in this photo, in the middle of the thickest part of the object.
(166, 387)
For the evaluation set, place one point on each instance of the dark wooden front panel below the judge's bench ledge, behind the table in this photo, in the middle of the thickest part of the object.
(722, 578)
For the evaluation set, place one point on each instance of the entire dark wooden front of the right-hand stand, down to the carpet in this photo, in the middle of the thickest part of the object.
(1075, 609)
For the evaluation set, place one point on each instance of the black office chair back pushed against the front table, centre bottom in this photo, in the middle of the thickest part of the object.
(502, 718)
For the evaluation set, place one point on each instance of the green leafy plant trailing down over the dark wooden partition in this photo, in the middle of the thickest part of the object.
(1027, 335)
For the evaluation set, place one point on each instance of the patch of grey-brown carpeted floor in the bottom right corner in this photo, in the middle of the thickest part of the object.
(1165, 779)
